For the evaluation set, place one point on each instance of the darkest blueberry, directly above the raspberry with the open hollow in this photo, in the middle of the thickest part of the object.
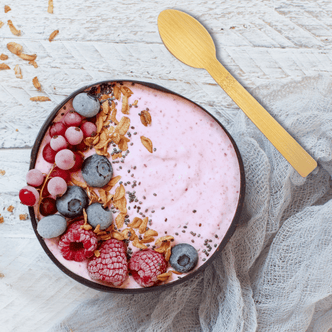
(72, 202)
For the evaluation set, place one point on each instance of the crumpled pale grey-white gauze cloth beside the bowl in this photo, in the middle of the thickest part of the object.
(275, 274)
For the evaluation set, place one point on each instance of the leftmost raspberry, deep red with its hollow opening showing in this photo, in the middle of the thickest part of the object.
(77, 244)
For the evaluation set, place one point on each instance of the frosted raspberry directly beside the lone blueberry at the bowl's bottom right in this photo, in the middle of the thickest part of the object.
(146, 265)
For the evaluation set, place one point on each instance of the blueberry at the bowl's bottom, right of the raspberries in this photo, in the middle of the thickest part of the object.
(184, 257)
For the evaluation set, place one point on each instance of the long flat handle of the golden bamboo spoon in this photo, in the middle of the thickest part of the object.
(273, 131)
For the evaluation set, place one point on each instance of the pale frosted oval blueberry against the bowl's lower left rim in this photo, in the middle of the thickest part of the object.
(51, 226)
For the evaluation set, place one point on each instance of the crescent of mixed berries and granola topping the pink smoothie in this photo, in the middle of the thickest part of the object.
(82, 204)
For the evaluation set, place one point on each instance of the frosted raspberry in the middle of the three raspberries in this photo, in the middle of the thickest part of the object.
(111, 266)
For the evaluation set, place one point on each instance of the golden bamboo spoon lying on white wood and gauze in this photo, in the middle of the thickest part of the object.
(188, 41)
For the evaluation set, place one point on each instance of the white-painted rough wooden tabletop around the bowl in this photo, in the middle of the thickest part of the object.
(259, 41)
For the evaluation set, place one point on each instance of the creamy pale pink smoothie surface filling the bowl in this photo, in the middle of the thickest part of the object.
(189, 186)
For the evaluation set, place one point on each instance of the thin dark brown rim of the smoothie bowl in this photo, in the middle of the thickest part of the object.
(104, 287)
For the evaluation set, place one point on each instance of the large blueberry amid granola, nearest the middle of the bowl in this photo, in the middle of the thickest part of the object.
(97, 171)
